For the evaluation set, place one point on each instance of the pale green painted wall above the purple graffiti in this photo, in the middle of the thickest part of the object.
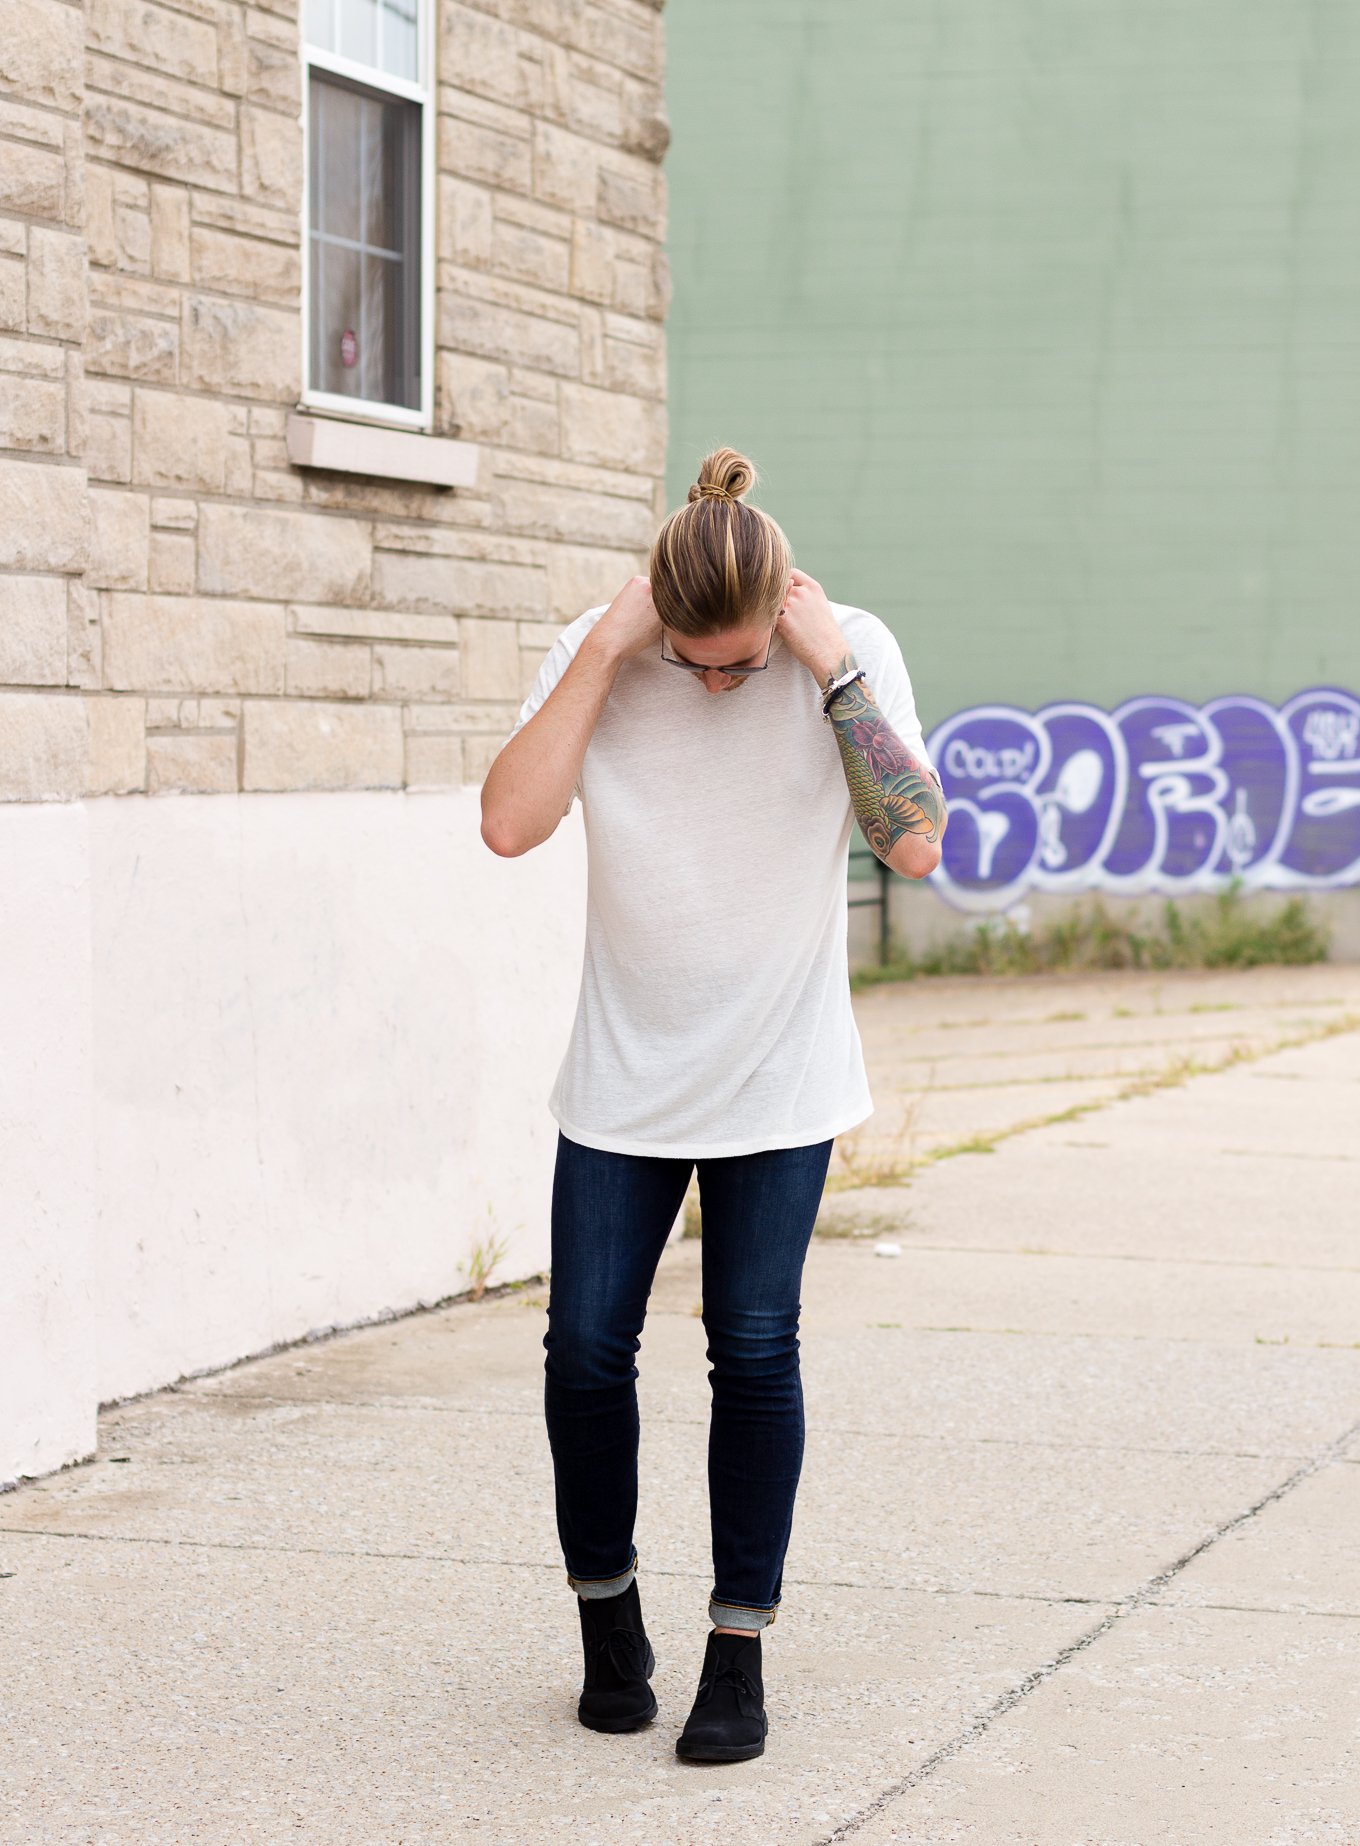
(1042, 324)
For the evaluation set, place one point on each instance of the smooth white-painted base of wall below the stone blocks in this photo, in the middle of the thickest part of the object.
(270, 1064)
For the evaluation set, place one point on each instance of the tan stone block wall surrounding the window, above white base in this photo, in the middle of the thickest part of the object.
(182, 608)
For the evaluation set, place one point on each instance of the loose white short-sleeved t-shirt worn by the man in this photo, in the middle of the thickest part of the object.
(715, 1007)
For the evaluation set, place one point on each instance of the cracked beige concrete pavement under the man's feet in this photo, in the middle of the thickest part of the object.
(1075, 1561)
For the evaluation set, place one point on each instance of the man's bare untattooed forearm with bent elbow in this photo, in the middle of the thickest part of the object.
(531, 784)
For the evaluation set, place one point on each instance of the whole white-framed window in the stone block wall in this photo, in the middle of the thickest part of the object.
(368, 274)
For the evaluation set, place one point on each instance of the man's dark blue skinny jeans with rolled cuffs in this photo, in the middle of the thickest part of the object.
(612, 1216)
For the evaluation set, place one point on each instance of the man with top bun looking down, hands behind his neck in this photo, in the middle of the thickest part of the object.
(713, 1027)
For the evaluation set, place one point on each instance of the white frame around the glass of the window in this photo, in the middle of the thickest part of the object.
(333, 403)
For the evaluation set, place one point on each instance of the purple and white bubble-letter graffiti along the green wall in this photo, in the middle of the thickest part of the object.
(1156, 797)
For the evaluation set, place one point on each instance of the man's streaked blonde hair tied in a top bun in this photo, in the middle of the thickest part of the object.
(719, 564)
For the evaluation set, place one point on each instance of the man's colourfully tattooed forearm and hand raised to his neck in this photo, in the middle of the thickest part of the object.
(898, 802)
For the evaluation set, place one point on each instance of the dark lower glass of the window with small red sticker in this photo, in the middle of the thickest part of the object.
(364, 243)
